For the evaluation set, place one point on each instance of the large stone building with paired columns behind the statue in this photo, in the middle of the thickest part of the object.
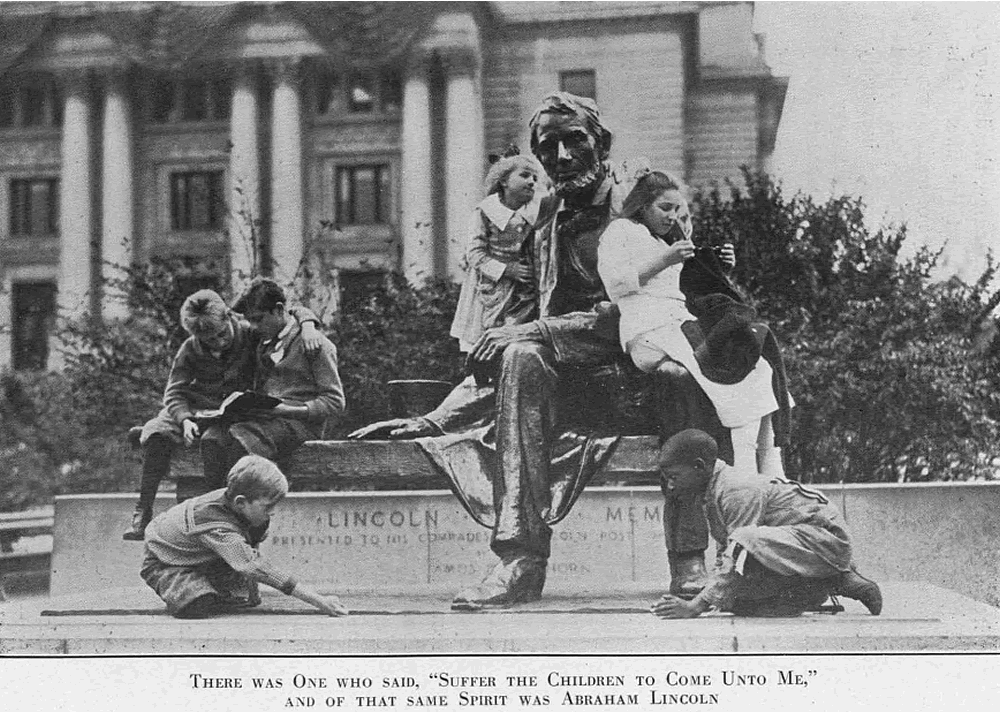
(254, 133)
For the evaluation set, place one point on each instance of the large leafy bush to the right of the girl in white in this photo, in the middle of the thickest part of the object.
(881, 359)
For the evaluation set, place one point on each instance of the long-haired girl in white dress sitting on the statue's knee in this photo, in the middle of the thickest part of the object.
(640, 257)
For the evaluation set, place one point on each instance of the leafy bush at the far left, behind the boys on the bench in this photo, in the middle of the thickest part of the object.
(63, 432)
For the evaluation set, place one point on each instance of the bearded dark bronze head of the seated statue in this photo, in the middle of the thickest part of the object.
(571, 142)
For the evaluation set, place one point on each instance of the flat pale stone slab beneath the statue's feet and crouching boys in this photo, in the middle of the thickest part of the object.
(917, 617)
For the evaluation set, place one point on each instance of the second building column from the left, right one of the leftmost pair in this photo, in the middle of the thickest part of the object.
(117, 197)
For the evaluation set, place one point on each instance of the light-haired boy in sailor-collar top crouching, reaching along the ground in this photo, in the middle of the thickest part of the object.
(201, 555)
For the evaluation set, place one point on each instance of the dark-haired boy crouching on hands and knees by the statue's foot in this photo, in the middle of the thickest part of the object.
(785, 547)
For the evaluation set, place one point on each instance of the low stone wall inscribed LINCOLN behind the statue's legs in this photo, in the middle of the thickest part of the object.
(945, 534)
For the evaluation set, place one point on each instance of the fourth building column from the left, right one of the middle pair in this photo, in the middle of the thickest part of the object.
(287, 202)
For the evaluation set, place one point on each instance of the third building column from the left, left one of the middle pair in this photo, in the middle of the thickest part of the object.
(244, 178)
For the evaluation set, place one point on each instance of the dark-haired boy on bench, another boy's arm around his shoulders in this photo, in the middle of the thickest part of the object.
(307, 384)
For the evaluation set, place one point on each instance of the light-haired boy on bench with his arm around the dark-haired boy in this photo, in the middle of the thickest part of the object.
(217, 358)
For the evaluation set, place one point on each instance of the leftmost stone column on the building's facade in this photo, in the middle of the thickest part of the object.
(75, 196)
